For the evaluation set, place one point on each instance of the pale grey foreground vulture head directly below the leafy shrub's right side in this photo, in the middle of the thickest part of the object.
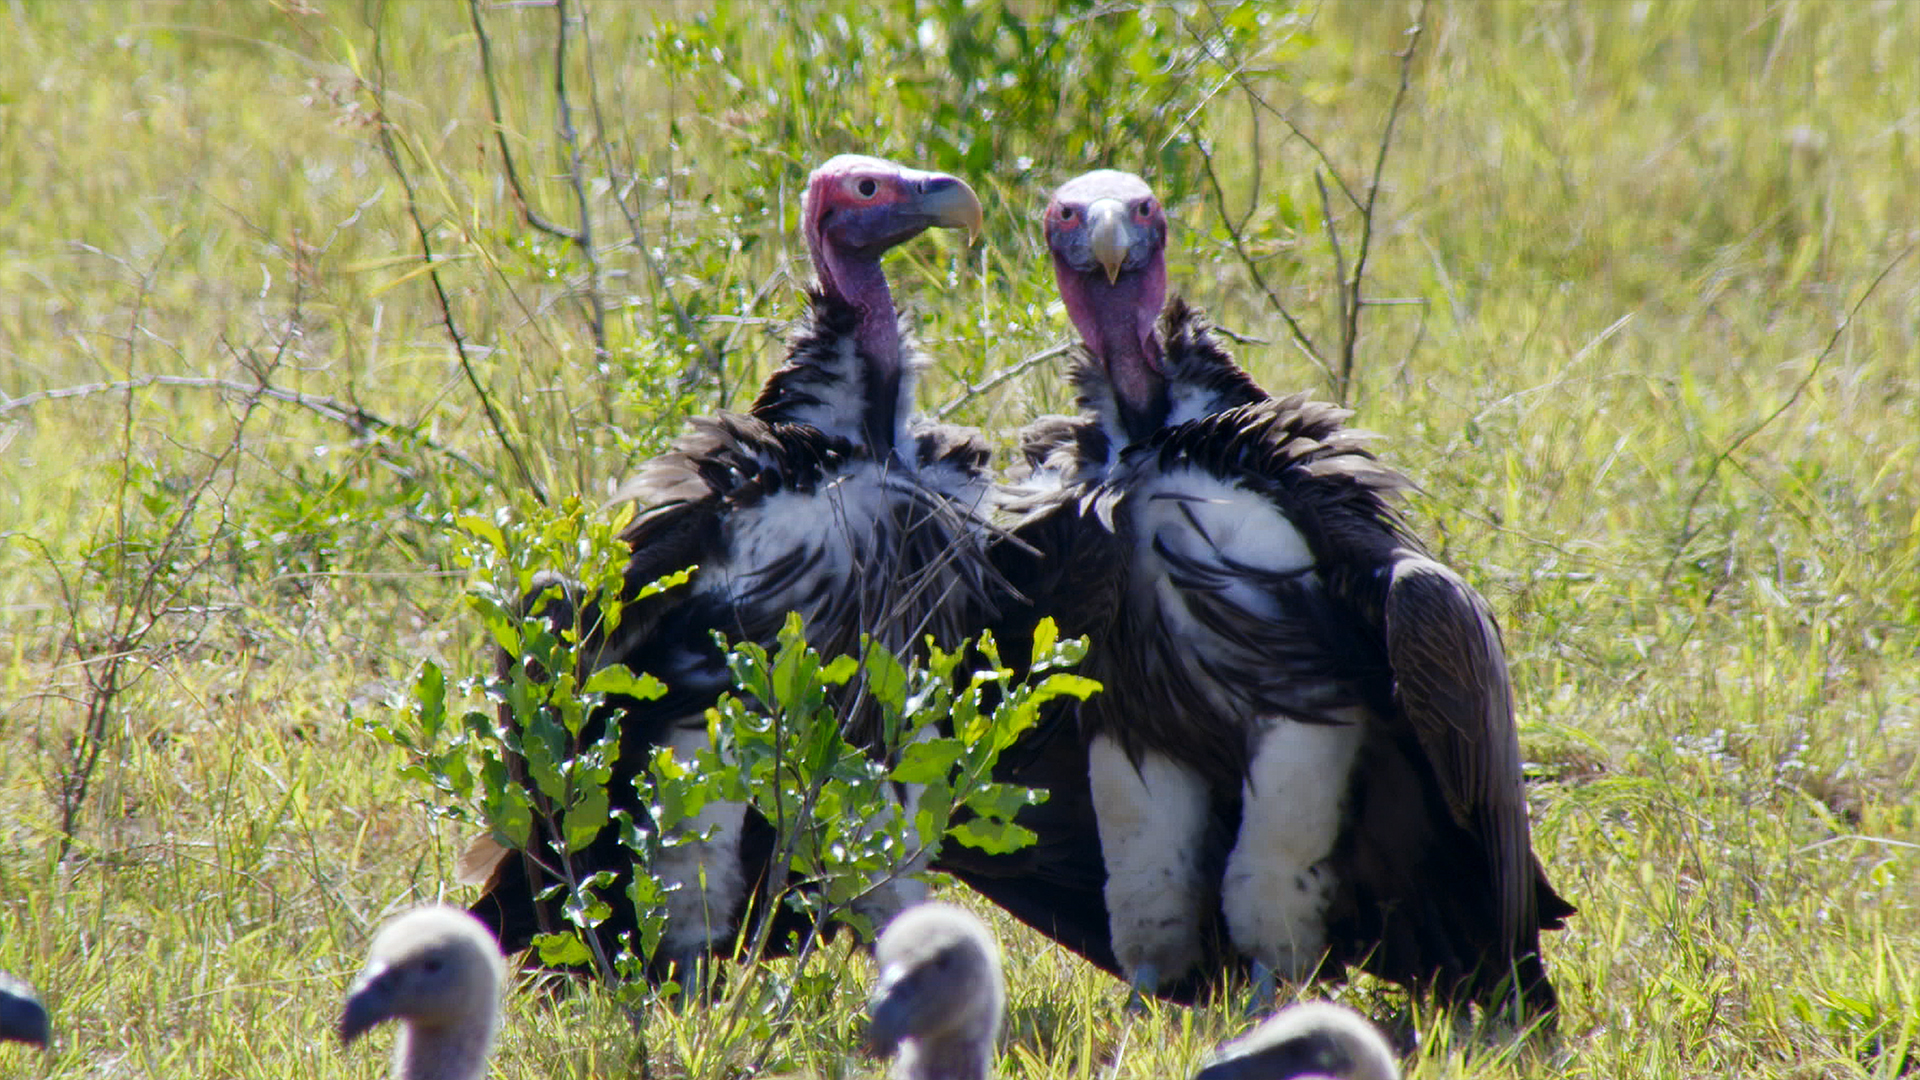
(940, 994)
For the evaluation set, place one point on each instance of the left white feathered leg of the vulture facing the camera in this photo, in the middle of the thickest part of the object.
(1153, 822)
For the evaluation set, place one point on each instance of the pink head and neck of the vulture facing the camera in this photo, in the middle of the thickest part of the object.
(1109, 239)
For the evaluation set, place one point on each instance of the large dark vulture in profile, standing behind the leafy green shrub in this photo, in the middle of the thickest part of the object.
(825, 499)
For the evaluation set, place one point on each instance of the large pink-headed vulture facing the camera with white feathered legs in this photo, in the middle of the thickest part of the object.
(1307, 727)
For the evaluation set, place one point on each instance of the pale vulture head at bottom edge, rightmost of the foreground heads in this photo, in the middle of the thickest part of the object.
(1310, 1041)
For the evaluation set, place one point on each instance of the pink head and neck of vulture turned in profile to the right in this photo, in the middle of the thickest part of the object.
(855, 210)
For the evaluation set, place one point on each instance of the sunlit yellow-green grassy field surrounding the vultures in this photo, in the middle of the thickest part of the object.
(1654, 356)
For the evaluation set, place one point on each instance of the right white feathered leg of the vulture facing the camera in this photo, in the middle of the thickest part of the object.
(1280, 883)
